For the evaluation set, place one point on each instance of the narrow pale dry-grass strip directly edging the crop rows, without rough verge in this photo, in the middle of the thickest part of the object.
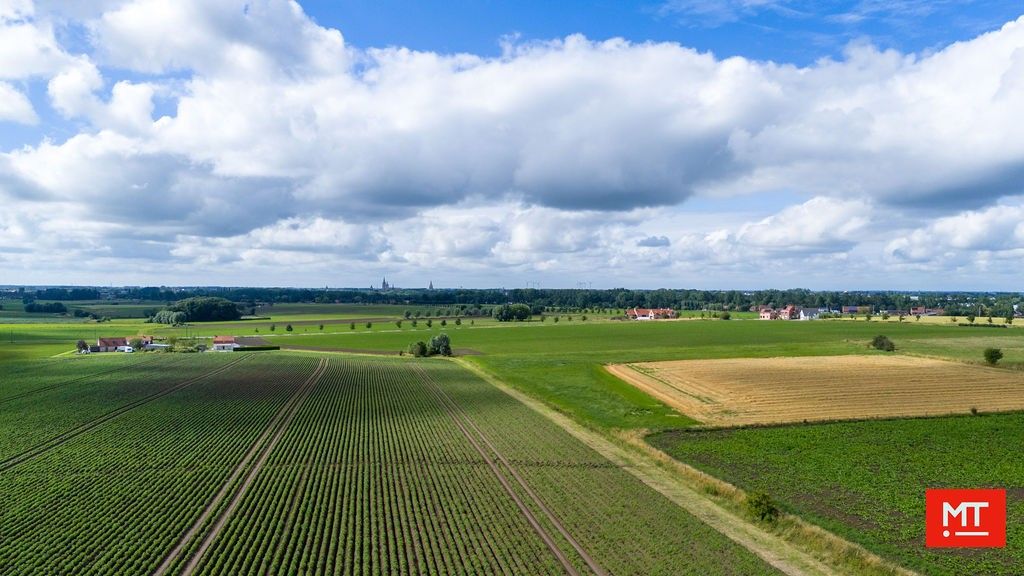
(771, 548)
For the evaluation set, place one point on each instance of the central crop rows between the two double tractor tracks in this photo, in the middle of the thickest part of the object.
(373, 477)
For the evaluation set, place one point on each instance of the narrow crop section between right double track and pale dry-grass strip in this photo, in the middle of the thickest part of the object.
(625, 525)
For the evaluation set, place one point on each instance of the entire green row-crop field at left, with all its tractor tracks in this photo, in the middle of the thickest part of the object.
(288, 463)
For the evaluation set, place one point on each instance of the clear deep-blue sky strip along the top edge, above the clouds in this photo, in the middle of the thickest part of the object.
(794, 32)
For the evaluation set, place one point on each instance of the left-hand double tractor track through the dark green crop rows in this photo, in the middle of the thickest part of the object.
(261, 450)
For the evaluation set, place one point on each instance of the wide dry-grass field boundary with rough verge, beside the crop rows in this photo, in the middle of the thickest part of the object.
(787, 553)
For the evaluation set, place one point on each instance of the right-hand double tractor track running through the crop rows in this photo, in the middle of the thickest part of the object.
(462, 421)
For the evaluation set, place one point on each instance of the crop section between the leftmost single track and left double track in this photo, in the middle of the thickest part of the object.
(114, 501)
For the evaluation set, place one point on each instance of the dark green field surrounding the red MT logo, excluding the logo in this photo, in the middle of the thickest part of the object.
(867, 480)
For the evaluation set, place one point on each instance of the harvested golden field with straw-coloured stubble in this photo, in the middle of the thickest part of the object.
(739, 392)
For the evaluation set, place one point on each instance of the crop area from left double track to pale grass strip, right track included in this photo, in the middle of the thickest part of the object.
(402, 468)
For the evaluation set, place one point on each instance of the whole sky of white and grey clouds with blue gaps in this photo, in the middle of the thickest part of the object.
(740, 144)
